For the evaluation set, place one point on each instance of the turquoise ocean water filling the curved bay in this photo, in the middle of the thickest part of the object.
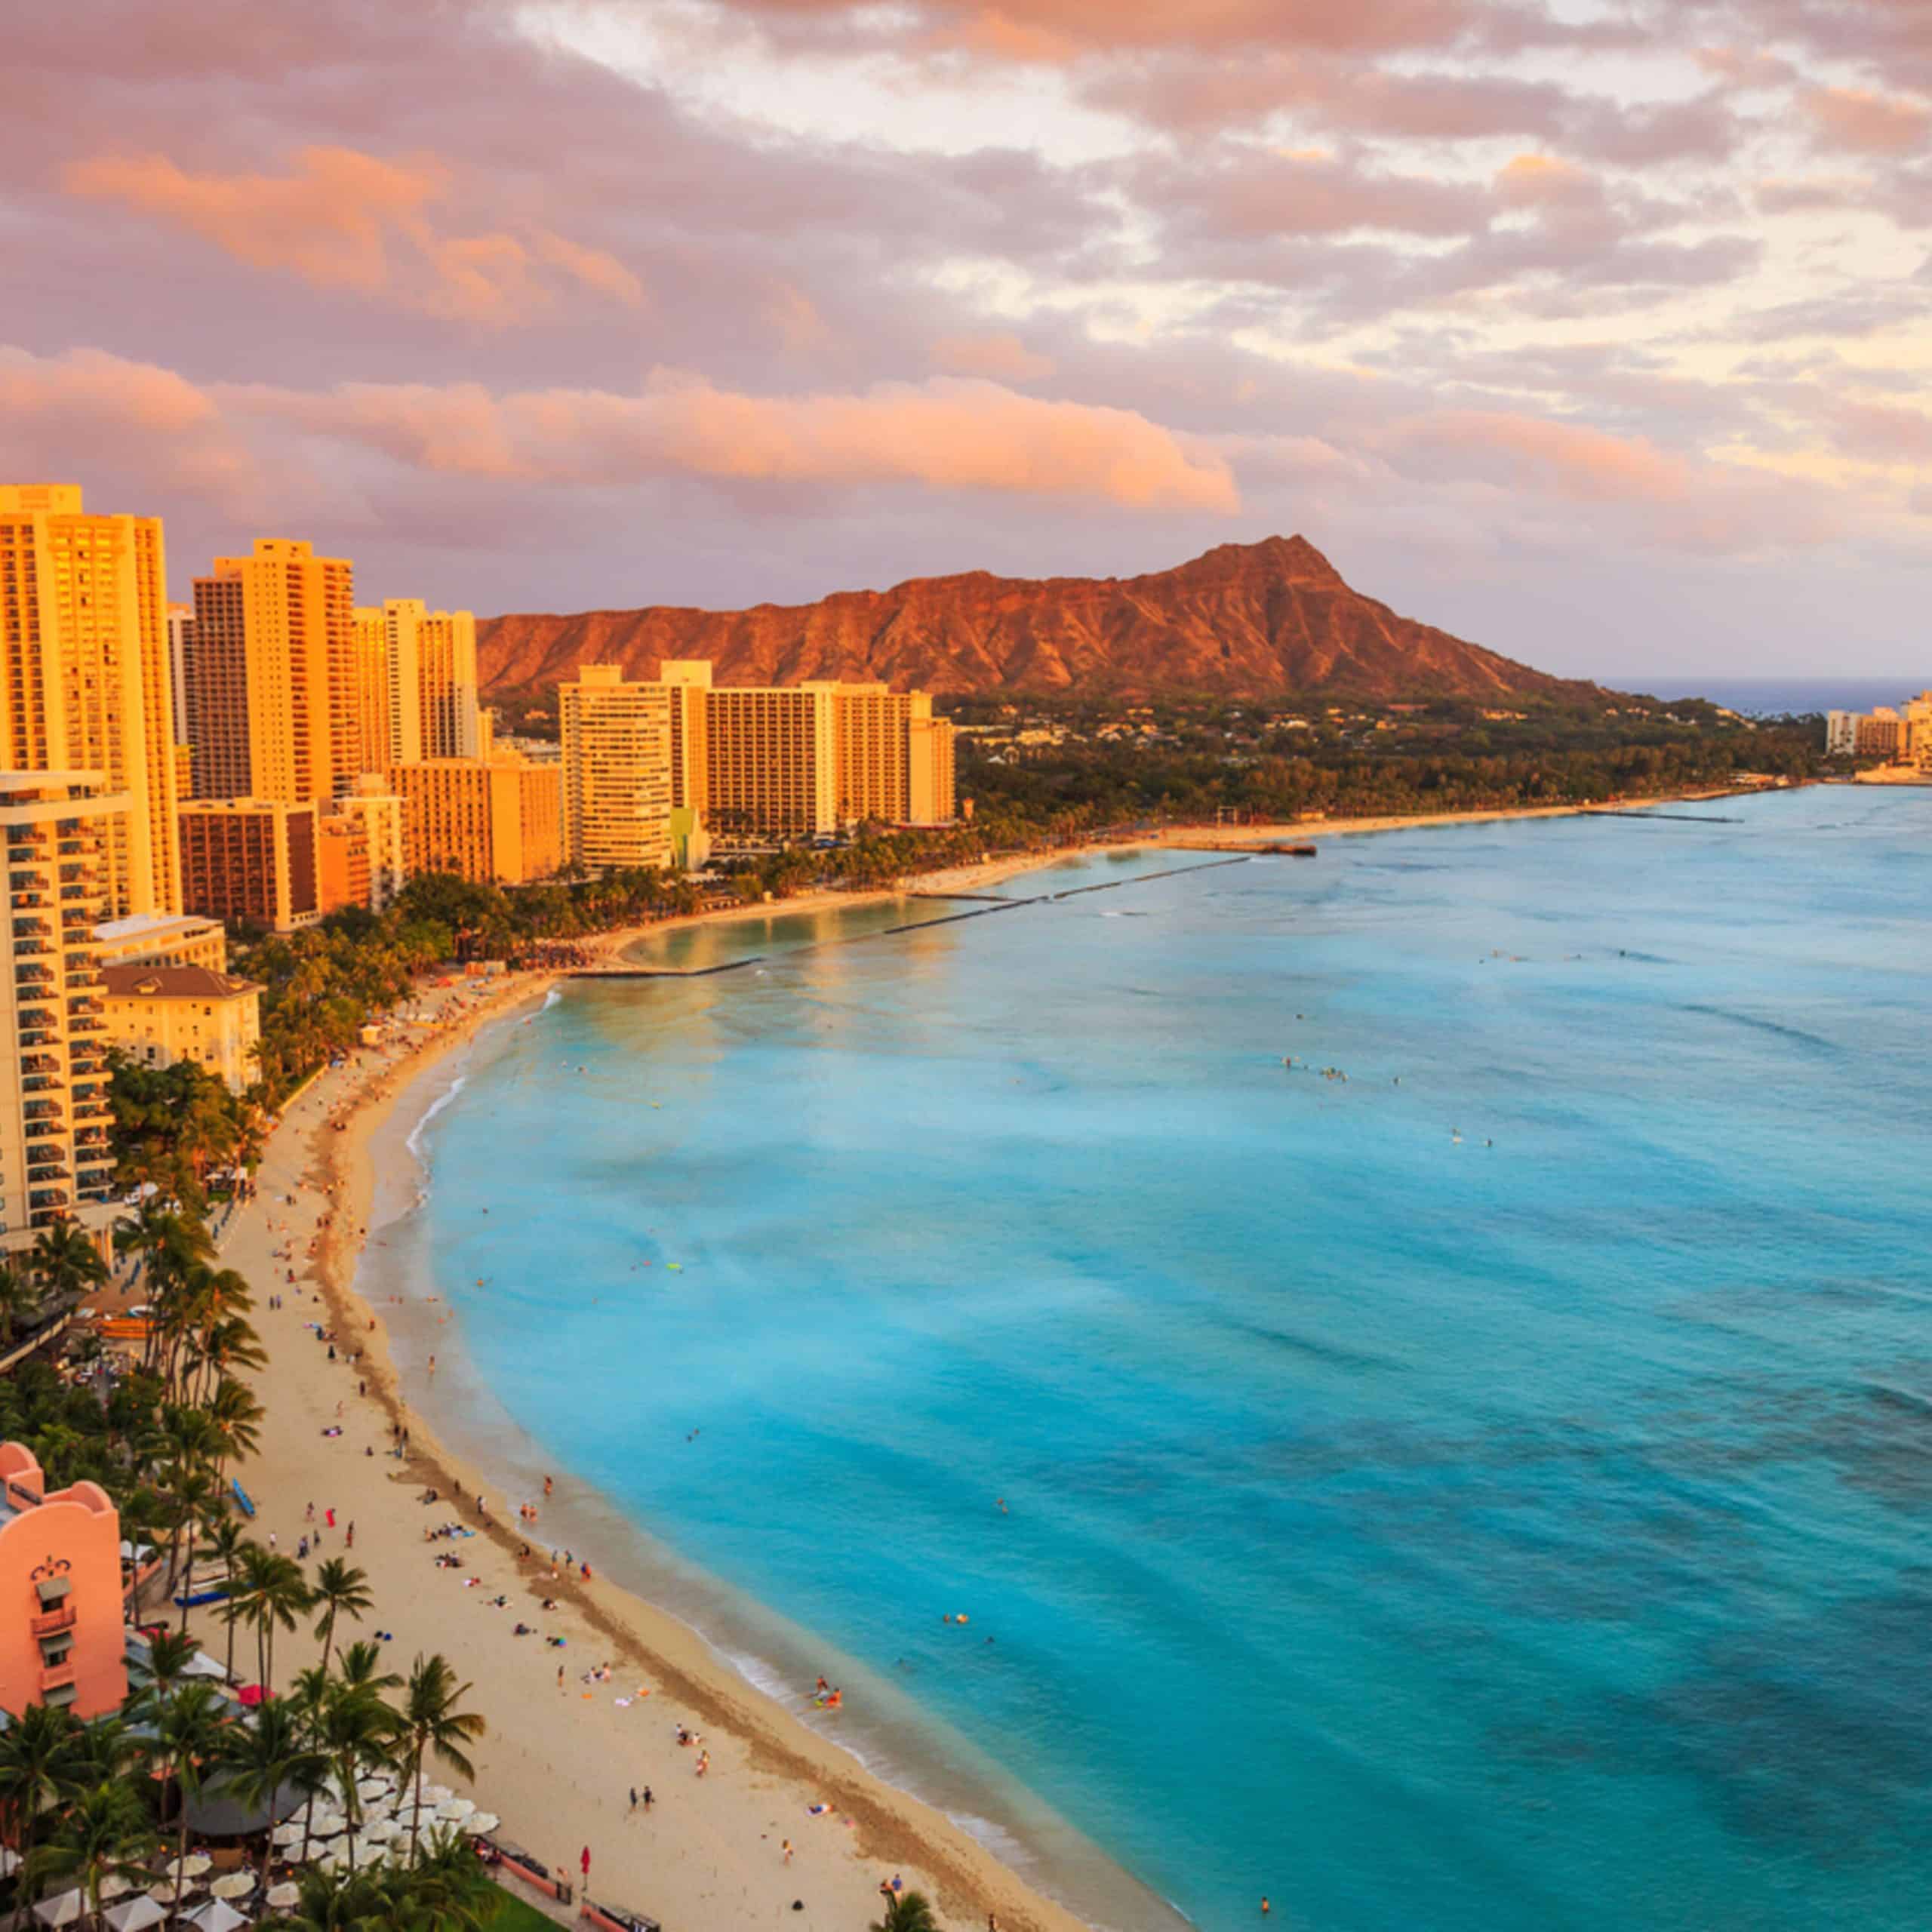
(1512, 1533)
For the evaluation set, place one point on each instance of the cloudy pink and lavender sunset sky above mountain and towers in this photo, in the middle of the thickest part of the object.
(1597, 331)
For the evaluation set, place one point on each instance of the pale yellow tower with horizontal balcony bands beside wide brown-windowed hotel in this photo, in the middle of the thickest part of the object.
(615, 770)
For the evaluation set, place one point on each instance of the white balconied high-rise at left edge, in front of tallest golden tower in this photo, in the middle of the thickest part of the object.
(57, 832)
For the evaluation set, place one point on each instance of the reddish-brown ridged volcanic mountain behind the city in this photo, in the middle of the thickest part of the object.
(1253, 621)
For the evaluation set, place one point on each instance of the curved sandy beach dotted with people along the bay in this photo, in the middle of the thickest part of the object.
(569, 1740)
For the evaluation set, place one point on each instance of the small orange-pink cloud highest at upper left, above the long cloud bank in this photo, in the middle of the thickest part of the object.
(345, 219)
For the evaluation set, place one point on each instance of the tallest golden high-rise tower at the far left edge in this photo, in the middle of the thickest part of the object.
(86, 679)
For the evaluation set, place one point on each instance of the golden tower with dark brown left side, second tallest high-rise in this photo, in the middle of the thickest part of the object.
(271, 675)
